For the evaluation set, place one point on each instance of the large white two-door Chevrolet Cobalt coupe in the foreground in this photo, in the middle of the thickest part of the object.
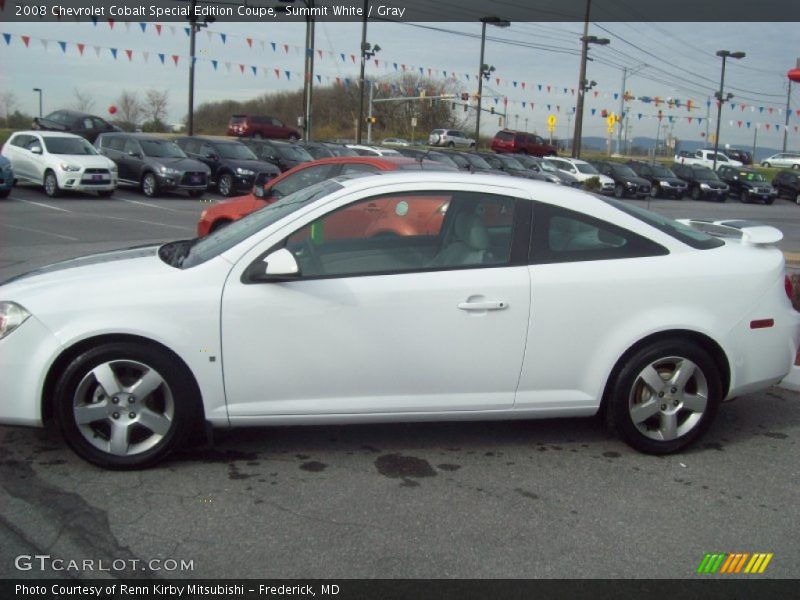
(501, 299)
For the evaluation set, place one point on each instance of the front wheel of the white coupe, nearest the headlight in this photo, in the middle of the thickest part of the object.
(107, 423)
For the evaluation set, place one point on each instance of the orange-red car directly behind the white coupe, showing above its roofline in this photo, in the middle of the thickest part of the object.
(303, 176)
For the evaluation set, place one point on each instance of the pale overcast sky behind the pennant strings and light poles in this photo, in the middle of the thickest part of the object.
(669, 60)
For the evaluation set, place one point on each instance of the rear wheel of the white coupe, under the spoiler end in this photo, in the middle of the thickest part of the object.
(665, 396)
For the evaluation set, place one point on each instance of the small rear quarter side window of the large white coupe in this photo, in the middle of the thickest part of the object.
(561, 235)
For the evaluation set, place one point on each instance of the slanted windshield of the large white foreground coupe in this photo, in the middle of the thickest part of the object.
(216, 243)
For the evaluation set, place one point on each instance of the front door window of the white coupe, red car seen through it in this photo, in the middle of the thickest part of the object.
(410, 231)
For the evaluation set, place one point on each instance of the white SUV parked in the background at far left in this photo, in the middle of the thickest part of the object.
(60, 161)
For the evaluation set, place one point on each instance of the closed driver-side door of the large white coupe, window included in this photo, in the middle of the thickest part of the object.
(420, 323)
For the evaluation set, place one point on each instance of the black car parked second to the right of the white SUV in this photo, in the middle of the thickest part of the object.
(233, 165)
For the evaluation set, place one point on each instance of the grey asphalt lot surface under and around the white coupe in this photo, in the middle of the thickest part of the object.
(519, 499)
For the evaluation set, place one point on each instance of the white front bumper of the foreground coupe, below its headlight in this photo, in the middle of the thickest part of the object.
(25, 356)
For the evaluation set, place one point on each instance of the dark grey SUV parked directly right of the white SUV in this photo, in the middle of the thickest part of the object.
(153, 164)
